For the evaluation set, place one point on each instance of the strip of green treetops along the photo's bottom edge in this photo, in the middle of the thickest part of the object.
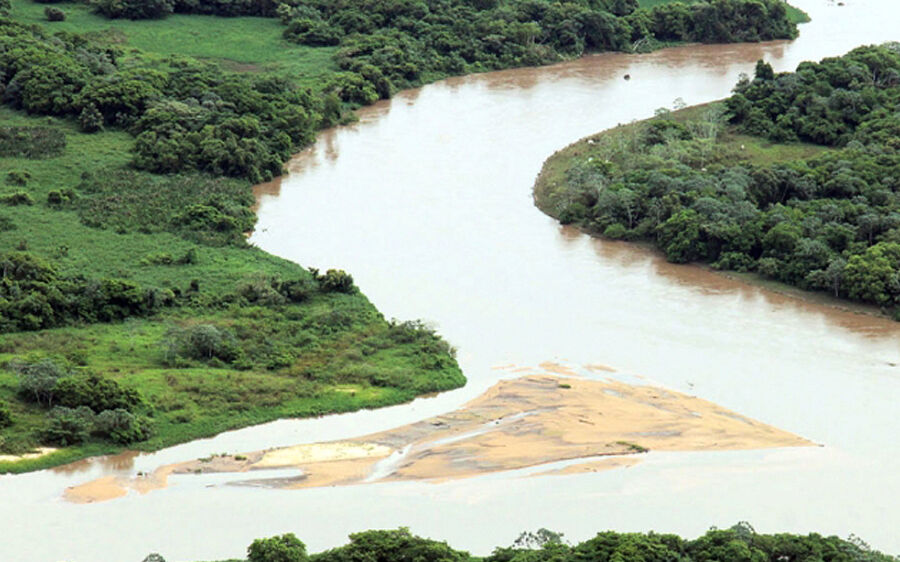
(740, 543)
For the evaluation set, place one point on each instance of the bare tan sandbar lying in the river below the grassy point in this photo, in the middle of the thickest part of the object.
(518, 423)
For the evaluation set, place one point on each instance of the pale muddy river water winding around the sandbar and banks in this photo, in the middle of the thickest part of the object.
(427, 202)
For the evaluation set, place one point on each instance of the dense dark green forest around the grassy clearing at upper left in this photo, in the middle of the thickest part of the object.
(187, 115)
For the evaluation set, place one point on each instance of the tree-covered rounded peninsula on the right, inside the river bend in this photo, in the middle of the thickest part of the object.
(794, 177)
